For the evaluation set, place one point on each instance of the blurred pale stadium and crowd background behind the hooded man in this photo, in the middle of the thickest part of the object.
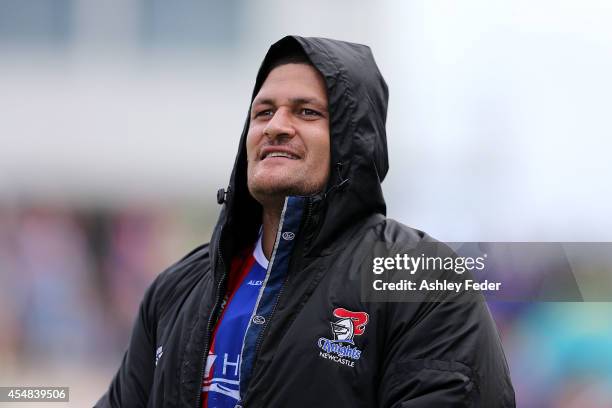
(120, 119)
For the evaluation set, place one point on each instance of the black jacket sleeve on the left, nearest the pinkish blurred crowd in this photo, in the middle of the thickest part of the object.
(132, 383)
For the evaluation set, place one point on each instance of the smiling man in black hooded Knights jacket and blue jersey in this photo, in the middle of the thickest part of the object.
(305, 194)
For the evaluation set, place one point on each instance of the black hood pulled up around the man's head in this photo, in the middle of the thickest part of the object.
(357, 100)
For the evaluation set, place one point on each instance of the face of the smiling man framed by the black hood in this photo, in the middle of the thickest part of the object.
(288, 140)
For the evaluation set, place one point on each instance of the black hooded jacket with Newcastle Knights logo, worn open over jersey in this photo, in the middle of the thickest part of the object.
(410, 354)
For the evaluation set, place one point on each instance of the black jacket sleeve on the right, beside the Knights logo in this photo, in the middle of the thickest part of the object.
(446, 355)
